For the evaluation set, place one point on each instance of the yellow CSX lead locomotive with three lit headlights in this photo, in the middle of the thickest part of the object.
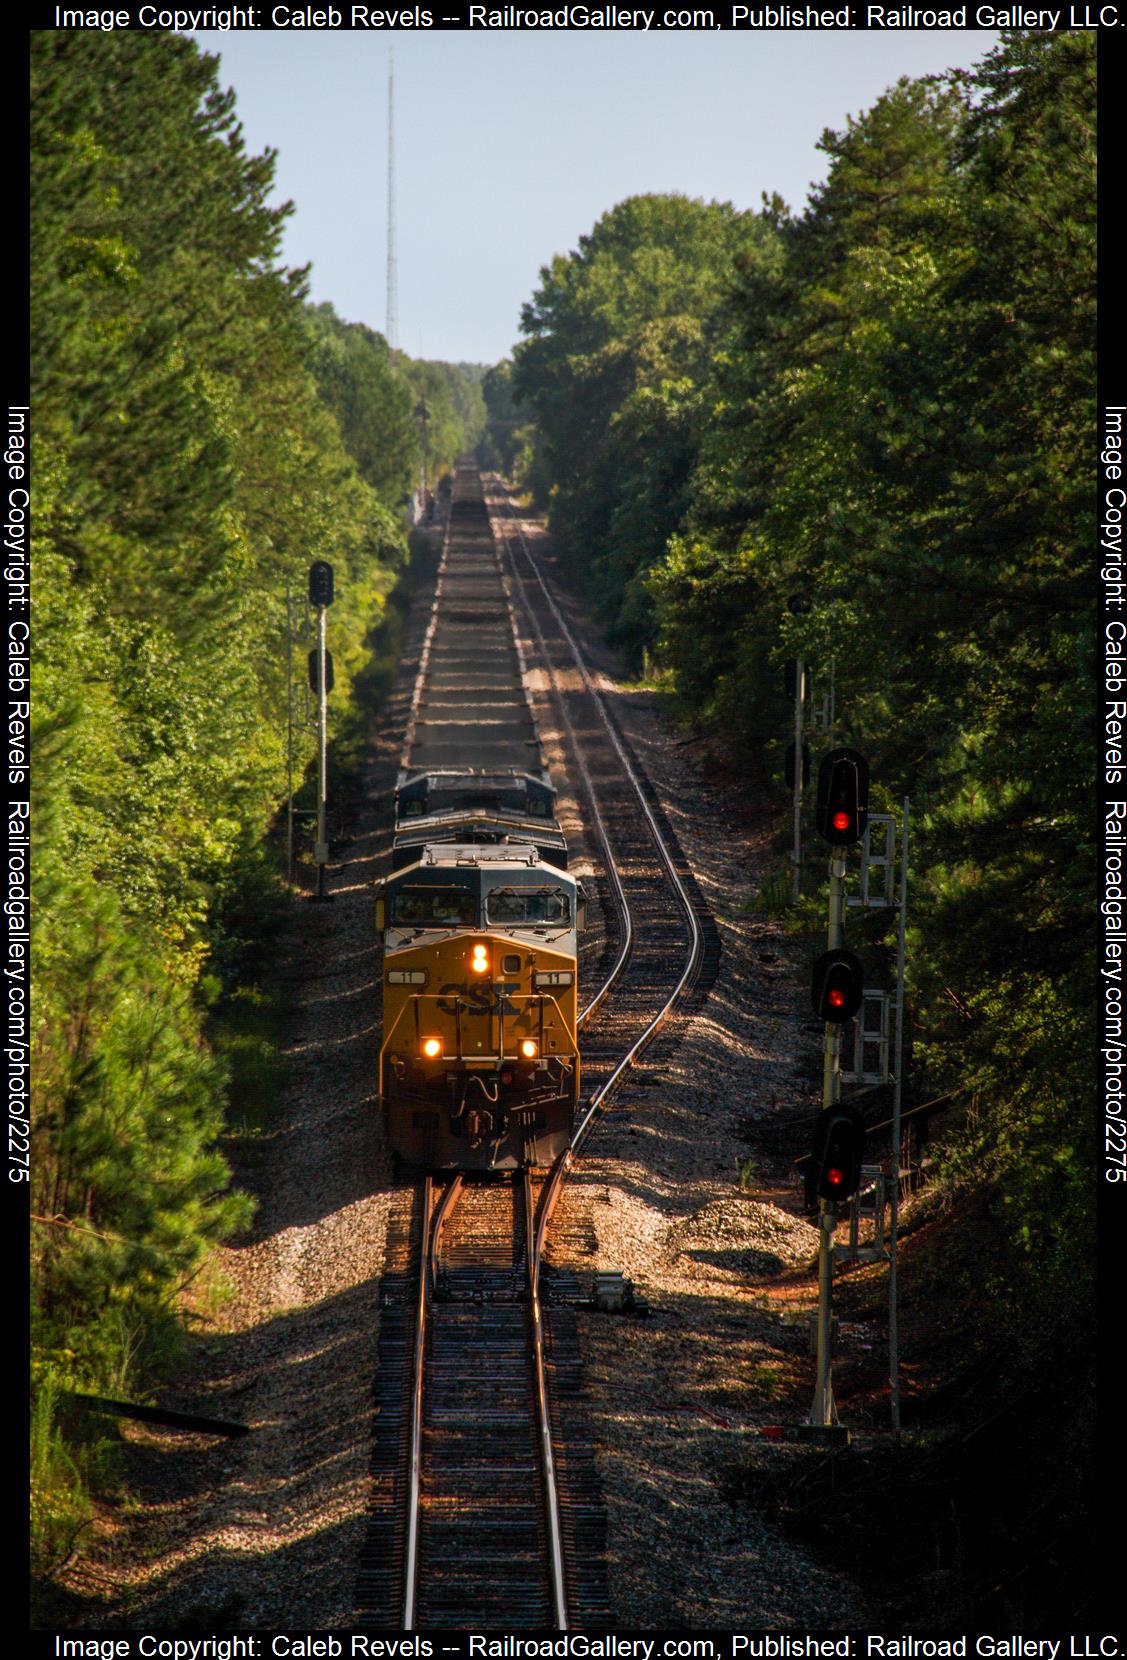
(481, 1063)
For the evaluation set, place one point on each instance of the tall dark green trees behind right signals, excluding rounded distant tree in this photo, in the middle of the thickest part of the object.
(900, 439)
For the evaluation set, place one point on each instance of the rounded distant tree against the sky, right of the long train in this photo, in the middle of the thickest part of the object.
(613, 369)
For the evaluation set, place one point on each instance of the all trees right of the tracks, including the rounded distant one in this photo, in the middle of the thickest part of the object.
(884, 406)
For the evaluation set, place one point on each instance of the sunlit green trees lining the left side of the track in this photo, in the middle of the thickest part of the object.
(202, 436)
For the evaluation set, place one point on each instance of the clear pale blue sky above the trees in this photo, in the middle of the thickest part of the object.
(512, 145)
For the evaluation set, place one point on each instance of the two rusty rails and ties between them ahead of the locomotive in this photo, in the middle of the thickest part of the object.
(485, 1543)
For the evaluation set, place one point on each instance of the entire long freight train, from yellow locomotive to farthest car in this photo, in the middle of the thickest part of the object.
(481, 917)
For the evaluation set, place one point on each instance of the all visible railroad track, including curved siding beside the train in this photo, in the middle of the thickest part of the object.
(487, 1511)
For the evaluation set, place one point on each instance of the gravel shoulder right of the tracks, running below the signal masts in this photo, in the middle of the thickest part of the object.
(678, 1400)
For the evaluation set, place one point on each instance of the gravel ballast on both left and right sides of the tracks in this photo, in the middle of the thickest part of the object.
(685, 1191)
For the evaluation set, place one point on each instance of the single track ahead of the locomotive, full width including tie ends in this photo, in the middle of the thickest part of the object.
(474, 1515)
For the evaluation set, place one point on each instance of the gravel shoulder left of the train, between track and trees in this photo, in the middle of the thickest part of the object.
(266, 1531)
